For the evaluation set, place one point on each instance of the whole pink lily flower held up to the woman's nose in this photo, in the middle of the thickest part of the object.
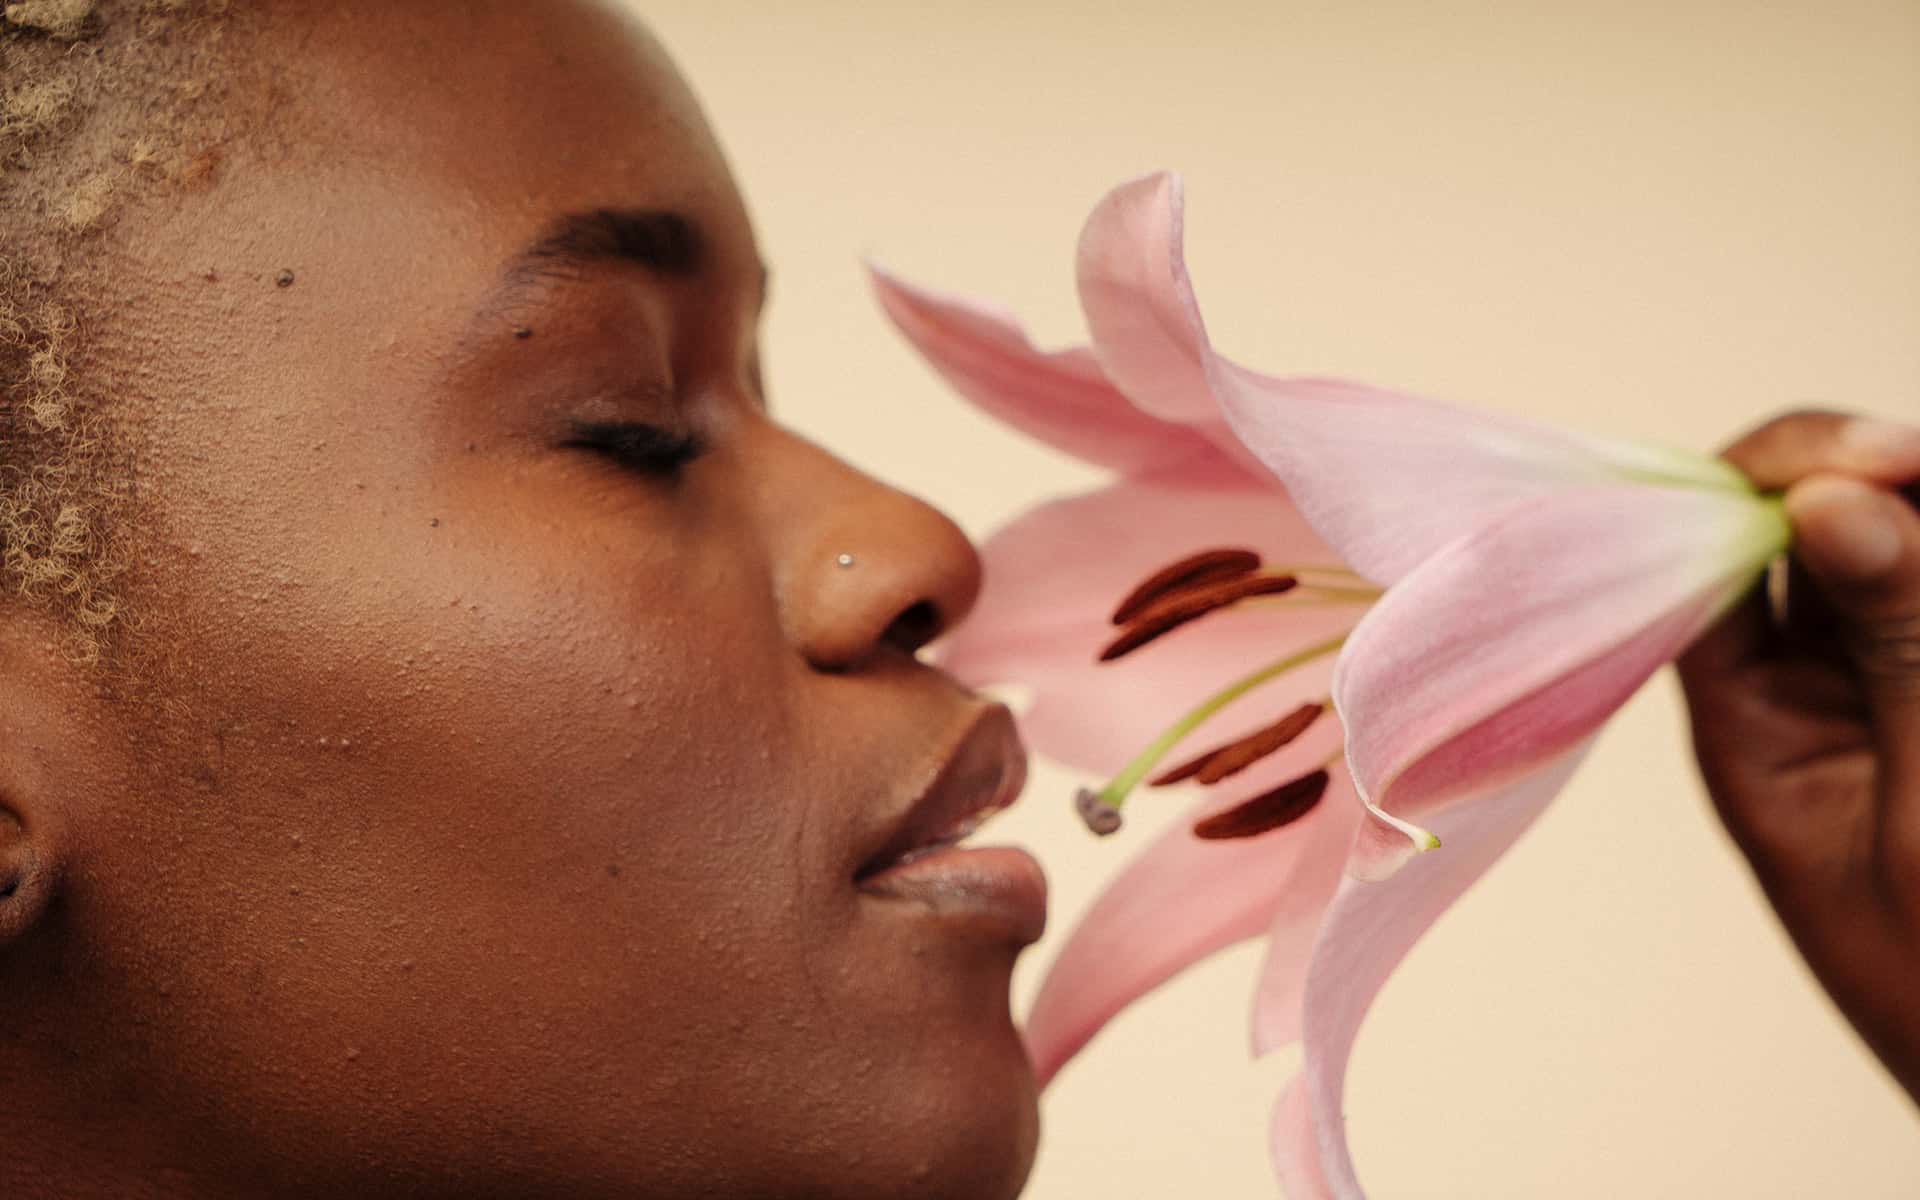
(1533, 581)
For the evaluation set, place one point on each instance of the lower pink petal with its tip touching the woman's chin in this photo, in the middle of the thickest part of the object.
(1186, 900)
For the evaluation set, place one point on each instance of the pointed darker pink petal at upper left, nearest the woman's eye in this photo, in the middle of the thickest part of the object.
(1063, 398)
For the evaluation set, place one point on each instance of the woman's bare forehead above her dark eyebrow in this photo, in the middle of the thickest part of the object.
(506, 112)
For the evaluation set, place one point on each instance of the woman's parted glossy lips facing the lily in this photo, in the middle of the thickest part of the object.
(923, 857)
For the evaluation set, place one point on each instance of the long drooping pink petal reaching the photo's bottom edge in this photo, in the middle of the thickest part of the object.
(1368, 930)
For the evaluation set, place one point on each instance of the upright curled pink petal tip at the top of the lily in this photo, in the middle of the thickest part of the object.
(1140, 302)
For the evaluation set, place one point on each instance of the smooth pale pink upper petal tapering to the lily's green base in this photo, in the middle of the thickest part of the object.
(1391, 479)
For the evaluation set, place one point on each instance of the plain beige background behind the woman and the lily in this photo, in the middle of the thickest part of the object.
(1654, 220)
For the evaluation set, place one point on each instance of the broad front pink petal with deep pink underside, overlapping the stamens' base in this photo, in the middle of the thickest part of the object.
(1522, 638)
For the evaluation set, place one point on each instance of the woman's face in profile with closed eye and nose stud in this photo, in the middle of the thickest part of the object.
(542, 715)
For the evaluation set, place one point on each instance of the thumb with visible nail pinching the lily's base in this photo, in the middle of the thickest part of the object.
(1861, 546)
